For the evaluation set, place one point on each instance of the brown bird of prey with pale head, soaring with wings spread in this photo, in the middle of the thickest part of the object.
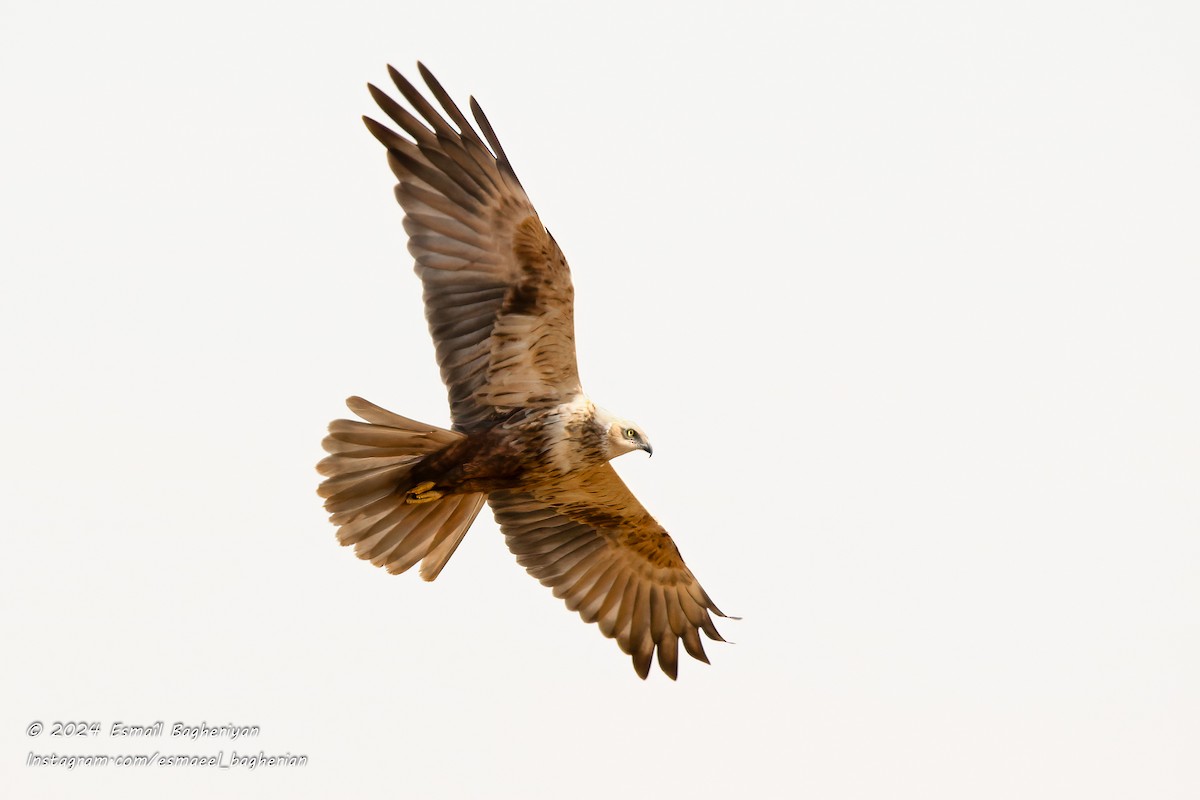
(526, 438)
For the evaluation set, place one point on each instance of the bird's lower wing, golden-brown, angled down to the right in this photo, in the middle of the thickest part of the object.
(599, 550)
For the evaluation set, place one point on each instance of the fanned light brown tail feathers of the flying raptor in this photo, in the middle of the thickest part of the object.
(367, 486)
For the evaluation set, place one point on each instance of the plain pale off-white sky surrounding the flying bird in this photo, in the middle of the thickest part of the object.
(904, 293)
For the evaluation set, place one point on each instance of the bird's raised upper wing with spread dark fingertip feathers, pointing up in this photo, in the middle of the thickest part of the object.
(499, 293)
